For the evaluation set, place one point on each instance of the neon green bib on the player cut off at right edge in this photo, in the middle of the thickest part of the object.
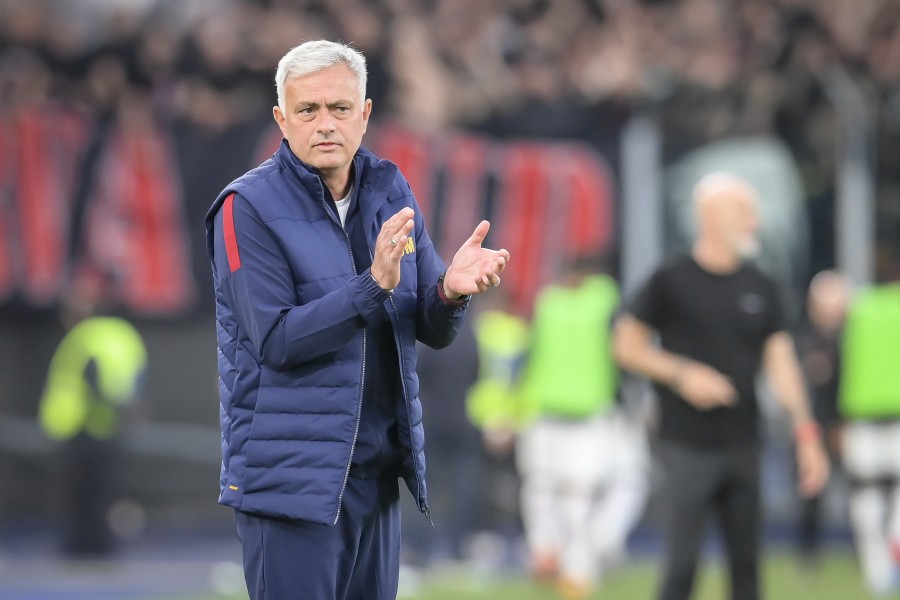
(870, 366)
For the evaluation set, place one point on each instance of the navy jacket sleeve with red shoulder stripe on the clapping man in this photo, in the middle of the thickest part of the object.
(255, 281)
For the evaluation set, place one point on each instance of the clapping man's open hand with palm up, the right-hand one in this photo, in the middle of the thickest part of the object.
(474, 269)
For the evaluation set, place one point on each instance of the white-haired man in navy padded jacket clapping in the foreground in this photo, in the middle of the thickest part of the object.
(324, 278)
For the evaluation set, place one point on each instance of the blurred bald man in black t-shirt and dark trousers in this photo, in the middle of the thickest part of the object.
(719, 321)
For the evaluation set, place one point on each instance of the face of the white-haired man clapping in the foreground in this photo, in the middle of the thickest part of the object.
(324, 118)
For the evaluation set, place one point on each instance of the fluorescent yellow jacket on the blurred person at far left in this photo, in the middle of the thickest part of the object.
(70, 404)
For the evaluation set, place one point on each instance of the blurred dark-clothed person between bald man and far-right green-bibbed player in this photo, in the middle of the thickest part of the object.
(818, 347)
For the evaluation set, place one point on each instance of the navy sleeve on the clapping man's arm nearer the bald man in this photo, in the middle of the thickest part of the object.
(436, 320)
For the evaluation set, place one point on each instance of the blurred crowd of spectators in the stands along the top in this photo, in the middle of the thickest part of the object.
(707, 69)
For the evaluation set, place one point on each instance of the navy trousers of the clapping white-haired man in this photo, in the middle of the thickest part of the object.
(357, 559)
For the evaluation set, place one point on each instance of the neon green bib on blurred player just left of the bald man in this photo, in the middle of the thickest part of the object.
(570, 371)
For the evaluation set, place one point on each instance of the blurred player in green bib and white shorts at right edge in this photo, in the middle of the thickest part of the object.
(869, 403)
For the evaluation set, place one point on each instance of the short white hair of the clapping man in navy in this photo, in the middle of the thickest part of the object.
(317, 55)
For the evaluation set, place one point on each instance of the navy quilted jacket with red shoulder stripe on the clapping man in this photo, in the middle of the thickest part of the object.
(291, 312)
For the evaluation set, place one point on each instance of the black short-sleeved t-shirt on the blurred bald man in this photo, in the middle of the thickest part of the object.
(722, 321)
